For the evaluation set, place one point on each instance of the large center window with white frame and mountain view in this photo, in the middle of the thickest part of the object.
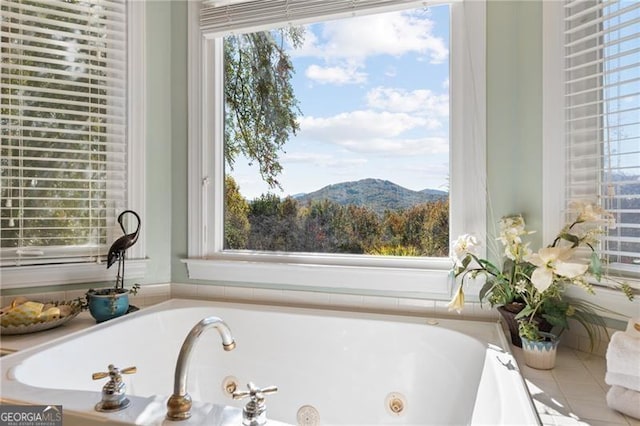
(331, 138)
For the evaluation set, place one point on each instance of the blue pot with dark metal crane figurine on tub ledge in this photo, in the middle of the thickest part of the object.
(112, 302)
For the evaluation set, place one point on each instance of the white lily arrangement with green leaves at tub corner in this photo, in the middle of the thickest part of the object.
(538, 280)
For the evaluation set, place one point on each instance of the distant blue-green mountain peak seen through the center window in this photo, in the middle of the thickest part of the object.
(377, 194)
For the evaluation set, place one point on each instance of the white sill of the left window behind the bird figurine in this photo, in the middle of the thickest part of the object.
(45, 275)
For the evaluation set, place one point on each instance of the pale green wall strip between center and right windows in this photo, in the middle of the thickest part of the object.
(514, 112)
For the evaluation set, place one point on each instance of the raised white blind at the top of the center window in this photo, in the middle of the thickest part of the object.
(224, 18)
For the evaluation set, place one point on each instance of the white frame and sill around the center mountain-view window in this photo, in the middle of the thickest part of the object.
(425, 276)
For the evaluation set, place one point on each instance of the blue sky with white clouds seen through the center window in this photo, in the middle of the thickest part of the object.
(374, 94)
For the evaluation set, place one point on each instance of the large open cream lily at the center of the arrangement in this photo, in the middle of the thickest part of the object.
(550, 261)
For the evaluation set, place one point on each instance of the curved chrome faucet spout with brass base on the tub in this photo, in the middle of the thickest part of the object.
(179, 404)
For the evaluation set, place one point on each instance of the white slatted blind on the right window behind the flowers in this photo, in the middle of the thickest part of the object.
(602, 115)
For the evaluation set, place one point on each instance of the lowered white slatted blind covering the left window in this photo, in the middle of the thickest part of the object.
(63, 137)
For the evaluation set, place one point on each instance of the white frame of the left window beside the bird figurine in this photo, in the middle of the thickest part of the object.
(26, 276)
